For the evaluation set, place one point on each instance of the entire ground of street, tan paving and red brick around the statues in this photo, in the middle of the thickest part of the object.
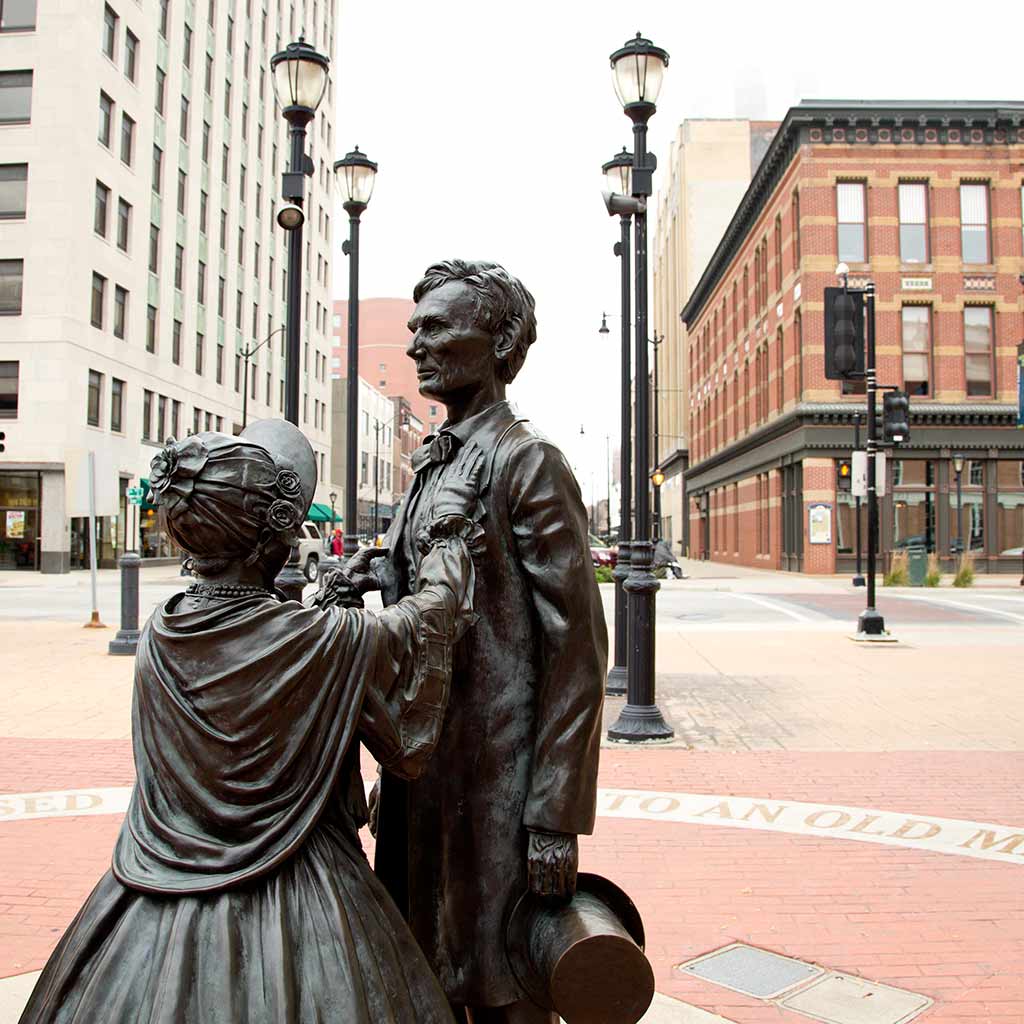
(856, 807)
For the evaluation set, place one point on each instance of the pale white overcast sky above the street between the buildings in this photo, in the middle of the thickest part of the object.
(491, 120)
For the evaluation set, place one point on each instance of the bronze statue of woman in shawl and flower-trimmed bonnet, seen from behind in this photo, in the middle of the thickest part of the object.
(239, 890)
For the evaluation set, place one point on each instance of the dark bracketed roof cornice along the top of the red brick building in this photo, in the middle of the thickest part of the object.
(860, 123)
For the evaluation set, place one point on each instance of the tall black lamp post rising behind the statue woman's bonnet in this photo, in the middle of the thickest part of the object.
(301, 78)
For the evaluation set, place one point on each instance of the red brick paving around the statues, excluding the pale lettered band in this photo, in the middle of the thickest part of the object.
(949, 927)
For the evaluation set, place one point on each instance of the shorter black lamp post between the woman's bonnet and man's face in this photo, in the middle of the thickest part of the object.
(355, 178)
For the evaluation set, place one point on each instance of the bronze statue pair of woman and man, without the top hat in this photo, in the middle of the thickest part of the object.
(239, 890)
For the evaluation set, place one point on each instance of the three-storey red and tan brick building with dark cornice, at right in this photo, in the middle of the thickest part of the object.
(925, 200)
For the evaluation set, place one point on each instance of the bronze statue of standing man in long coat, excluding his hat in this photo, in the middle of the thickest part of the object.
(498, 810)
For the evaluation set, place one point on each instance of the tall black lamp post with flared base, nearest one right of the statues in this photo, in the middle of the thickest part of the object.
(637, 71)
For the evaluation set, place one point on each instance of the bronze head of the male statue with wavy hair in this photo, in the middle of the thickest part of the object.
(473, 325)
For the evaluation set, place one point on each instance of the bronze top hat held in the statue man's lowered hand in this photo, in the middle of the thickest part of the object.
(583, 959)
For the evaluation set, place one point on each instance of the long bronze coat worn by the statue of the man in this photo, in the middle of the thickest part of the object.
(522, 736)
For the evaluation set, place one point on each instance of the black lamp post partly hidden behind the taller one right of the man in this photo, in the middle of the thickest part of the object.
(619, 179)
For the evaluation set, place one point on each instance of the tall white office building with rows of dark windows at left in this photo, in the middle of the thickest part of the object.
(142, 149)
